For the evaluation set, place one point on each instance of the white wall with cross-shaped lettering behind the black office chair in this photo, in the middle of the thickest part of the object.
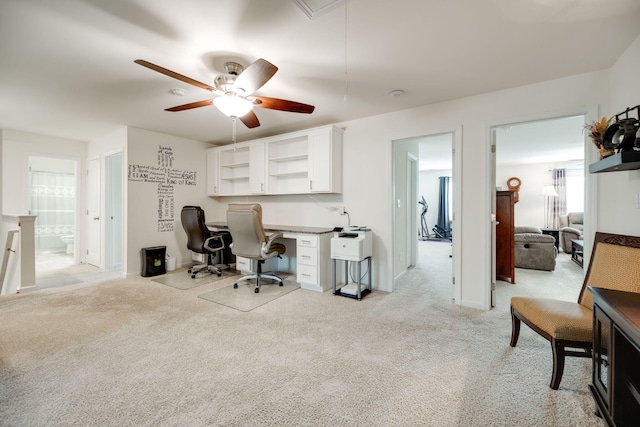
(142, 219)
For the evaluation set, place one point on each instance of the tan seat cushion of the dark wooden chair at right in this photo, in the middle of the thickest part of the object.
(564, 320)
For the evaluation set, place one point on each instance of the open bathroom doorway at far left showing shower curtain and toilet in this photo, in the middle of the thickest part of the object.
(53, 184)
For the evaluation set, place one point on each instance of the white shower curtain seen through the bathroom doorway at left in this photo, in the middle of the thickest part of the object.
(53, 201)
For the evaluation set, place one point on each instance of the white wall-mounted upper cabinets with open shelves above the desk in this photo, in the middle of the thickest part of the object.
(295, 163)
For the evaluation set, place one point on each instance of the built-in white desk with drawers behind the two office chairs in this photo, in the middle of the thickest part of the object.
(308, 254)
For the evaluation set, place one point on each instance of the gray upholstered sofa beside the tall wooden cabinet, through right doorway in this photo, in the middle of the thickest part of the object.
(534, 250)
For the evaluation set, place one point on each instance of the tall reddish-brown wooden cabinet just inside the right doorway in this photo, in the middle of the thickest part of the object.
(505, 244)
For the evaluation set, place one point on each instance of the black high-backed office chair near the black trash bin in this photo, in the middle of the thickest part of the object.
(201, 240)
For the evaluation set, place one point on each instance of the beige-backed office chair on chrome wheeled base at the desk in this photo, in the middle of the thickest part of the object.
(250, 241)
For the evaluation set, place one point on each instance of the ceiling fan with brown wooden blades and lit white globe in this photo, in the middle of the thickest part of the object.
(235, 89)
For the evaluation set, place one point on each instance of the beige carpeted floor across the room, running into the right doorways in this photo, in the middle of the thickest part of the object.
(136, 352)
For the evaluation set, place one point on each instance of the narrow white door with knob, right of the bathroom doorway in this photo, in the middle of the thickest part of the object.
(93, 212)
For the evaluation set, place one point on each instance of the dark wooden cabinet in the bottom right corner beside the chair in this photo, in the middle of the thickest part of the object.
(615, 382)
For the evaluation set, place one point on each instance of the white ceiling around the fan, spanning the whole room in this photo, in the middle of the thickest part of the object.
(67, 66)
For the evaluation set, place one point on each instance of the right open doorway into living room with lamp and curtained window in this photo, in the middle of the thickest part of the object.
(539, 155)
